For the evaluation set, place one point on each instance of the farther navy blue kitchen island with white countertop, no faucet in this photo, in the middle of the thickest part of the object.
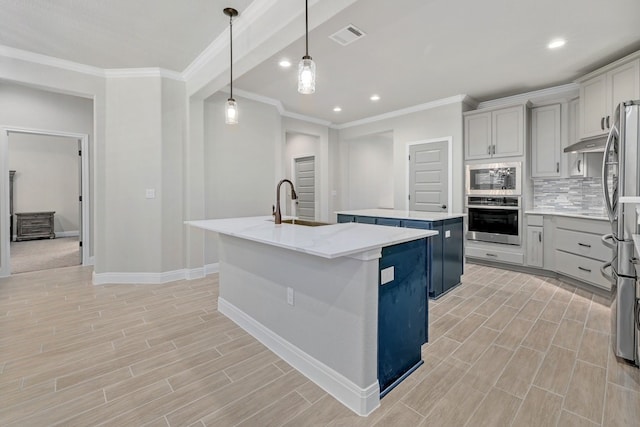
(445, 256)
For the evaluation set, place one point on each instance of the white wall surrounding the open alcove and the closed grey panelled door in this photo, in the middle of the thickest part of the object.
(437, 122)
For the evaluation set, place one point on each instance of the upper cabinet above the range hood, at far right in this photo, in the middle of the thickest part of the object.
(599, 96)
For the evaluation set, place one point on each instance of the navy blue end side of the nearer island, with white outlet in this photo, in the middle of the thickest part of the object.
(402, 310)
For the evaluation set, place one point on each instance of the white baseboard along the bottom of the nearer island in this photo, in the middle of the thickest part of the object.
(362, 401)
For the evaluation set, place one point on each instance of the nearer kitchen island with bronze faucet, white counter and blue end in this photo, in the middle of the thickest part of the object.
(344, 304)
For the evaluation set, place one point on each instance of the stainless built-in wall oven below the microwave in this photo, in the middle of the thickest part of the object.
(495, 219)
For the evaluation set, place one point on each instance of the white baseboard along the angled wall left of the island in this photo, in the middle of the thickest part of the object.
(155, 278)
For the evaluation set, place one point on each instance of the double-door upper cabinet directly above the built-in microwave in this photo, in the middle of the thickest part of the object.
(496, 133)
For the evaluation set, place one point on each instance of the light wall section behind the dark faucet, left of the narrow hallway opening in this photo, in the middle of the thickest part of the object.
(240, 162)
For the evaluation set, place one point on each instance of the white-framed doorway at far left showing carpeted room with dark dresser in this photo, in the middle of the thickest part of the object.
(36, 182)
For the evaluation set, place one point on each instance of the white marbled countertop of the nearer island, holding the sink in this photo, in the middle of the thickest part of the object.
(328, 241)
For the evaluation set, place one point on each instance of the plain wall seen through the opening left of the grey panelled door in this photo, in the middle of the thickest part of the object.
(369, 170)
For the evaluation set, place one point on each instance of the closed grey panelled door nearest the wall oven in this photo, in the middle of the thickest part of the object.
(429, 177)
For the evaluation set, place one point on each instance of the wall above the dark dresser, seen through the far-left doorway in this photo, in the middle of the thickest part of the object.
(47, 178)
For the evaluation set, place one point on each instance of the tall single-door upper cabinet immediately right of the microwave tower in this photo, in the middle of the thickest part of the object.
(546, 145)
